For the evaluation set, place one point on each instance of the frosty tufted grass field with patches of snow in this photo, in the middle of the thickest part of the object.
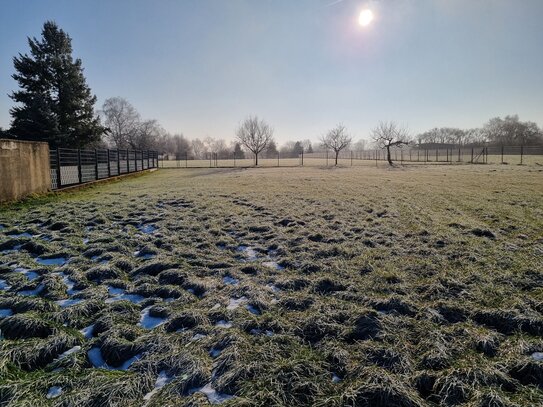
(362, 286)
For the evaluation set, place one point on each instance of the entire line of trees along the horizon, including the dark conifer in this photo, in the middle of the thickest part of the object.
(55, 104)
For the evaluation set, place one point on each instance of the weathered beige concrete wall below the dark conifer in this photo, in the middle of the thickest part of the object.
(24, 169)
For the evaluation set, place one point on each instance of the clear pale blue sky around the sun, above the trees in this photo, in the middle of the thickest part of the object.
(200, 67)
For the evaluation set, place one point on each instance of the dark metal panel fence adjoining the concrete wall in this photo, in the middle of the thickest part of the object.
(75, 166)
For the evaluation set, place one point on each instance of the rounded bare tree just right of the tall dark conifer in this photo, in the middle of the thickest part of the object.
(122, 121)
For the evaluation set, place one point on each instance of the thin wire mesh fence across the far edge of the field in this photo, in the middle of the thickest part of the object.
(522, 155)
